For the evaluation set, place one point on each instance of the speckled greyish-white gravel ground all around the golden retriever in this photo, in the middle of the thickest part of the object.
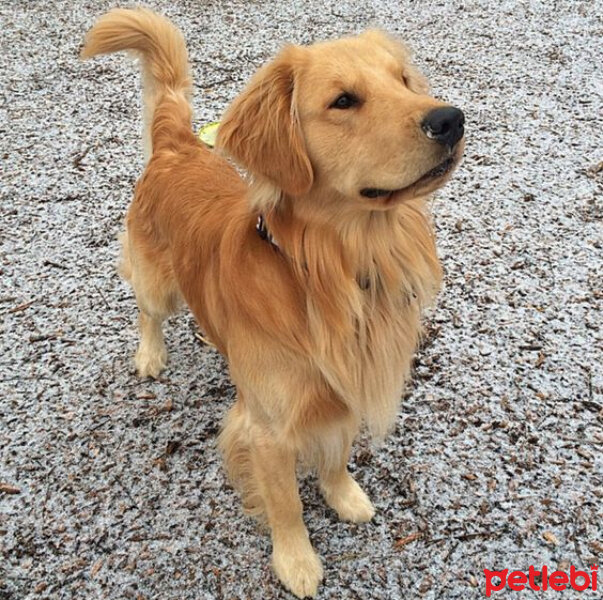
(112, 487)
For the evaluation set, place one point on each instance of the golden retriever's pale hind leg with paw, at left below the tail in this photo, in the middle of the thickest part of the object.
(157, 295)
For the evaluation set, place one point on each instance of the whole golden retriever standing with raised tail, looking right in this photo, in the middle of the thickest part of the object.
(316, 309)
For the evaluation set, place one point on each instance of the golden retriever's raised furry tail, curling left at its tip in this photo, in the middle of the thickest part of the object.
(165, 68)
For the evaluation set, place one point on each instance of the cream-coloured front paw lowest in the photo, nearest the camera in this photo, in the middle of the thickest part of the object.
(298, 567)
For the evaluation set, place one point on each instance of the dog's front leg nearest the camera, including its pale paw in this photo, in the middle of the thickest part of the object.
(294, 560)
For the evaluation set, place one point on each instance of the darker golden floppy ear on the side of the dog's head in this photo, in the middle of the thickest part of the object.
(261, 130)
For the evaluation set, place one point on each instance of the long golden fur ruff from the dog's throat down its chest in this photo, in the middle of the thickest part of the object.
(363, 335)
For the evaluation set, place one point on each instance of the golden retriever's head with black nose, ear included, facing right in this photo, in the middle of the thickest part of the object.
(351, 119)
